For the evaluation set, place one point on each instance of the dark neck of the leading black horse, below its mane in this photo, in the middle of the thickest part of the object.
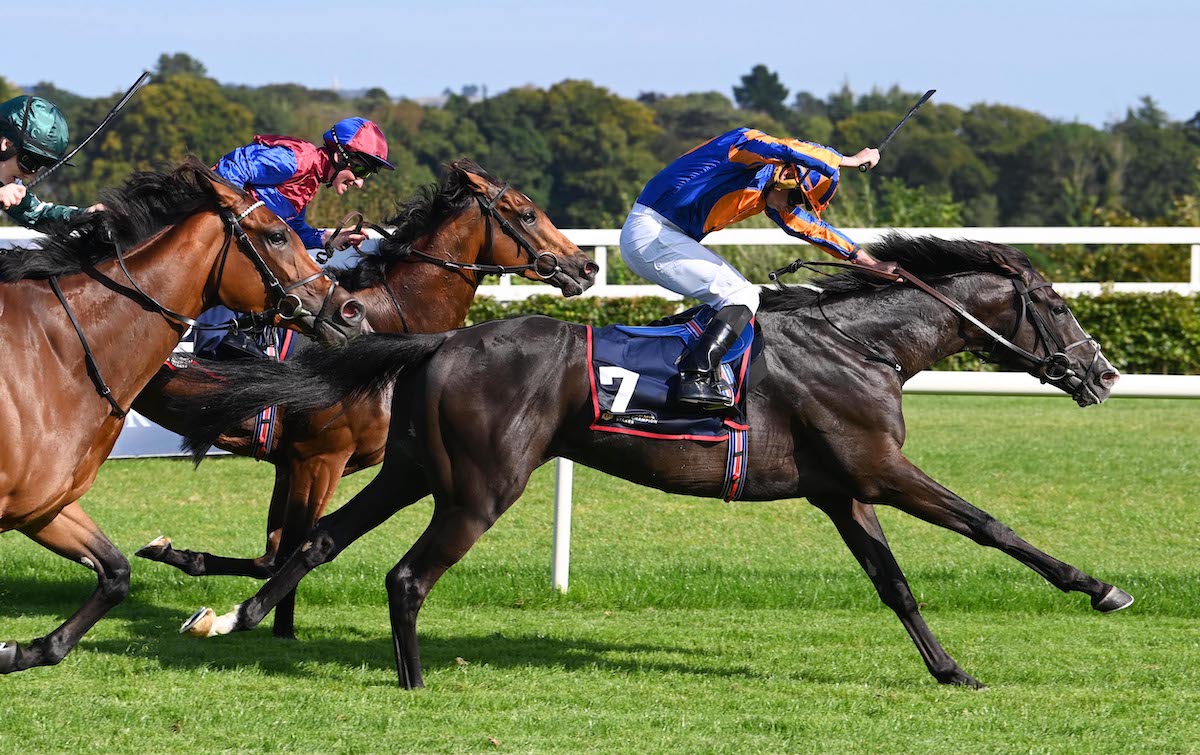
(913, 327)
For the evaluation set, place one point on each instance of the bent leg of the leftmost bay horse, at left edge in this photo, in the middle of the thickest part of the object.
(74, 536)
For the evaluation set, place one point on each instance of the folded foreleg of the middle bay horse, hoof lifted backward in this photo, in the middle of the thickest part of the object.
(201, 564)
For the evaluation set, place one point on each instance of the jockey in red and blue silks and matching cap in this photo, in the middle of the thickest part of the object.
(285, 175)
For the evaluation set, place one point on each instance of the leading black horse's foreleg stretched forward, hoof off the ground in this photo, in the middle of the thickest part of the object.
(901, 484)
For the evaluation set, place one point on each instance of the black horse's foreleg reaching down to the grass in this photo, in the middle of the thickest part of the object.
(863, 535)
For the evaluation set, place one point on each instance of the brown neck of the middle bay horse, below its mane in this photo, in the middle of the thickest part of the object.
(434, 298)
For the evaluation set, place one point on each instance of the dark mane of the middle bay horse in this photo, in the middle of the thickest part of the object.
(421, 215)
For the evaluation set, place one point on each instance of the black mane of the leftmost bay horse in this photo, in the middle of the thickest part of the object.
(149, 202)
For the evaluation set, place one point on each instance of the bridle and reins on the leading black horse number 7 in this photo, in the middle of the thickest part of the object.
(1053, 368)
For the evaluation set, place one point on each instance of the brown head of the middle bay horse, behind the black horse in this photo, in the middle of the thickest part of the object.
(529, 239)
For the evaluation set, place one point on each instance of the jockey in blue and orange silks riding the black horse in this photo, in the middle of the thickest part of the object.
(725, 181)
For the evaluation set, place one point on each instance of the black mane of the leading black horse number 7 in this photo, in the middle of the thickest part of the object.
(922, 256)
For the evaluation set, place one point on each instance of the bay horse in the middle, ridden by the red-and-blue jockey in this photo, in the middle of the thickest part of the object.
(423, 279)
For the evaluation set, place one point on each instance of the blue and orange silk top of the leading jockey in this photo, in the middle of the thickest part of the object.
(728, 179)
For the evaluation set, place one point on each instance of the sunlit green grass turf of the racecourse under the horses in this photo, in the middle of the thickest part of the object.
(691, 626)
